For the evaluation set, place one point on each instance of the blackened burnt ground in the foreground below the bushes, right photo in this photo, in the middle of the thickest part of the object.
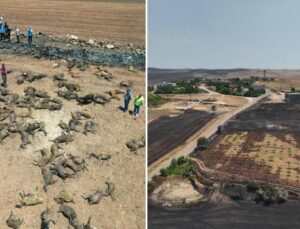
(241, 215)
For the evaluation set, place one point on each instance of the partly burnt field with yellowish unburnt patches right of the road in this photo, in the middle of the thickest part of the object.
(261, 143)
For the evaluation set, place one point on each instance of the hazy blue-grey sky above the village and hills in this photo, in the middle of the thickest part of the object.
(224, 34)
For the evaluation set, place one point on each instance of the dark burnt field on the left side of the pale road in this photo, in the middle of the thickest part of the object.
(167, 133)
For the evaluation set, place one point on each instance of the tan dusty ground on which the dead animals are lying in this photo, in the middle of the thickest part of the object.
(125, 169)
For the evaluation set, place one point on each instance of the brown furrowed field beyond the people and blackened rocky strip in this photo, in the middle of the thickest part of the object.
(122, 21)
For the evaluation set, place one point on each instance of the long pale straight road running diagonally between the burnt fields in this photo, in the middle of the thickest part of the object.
(207, 131)
